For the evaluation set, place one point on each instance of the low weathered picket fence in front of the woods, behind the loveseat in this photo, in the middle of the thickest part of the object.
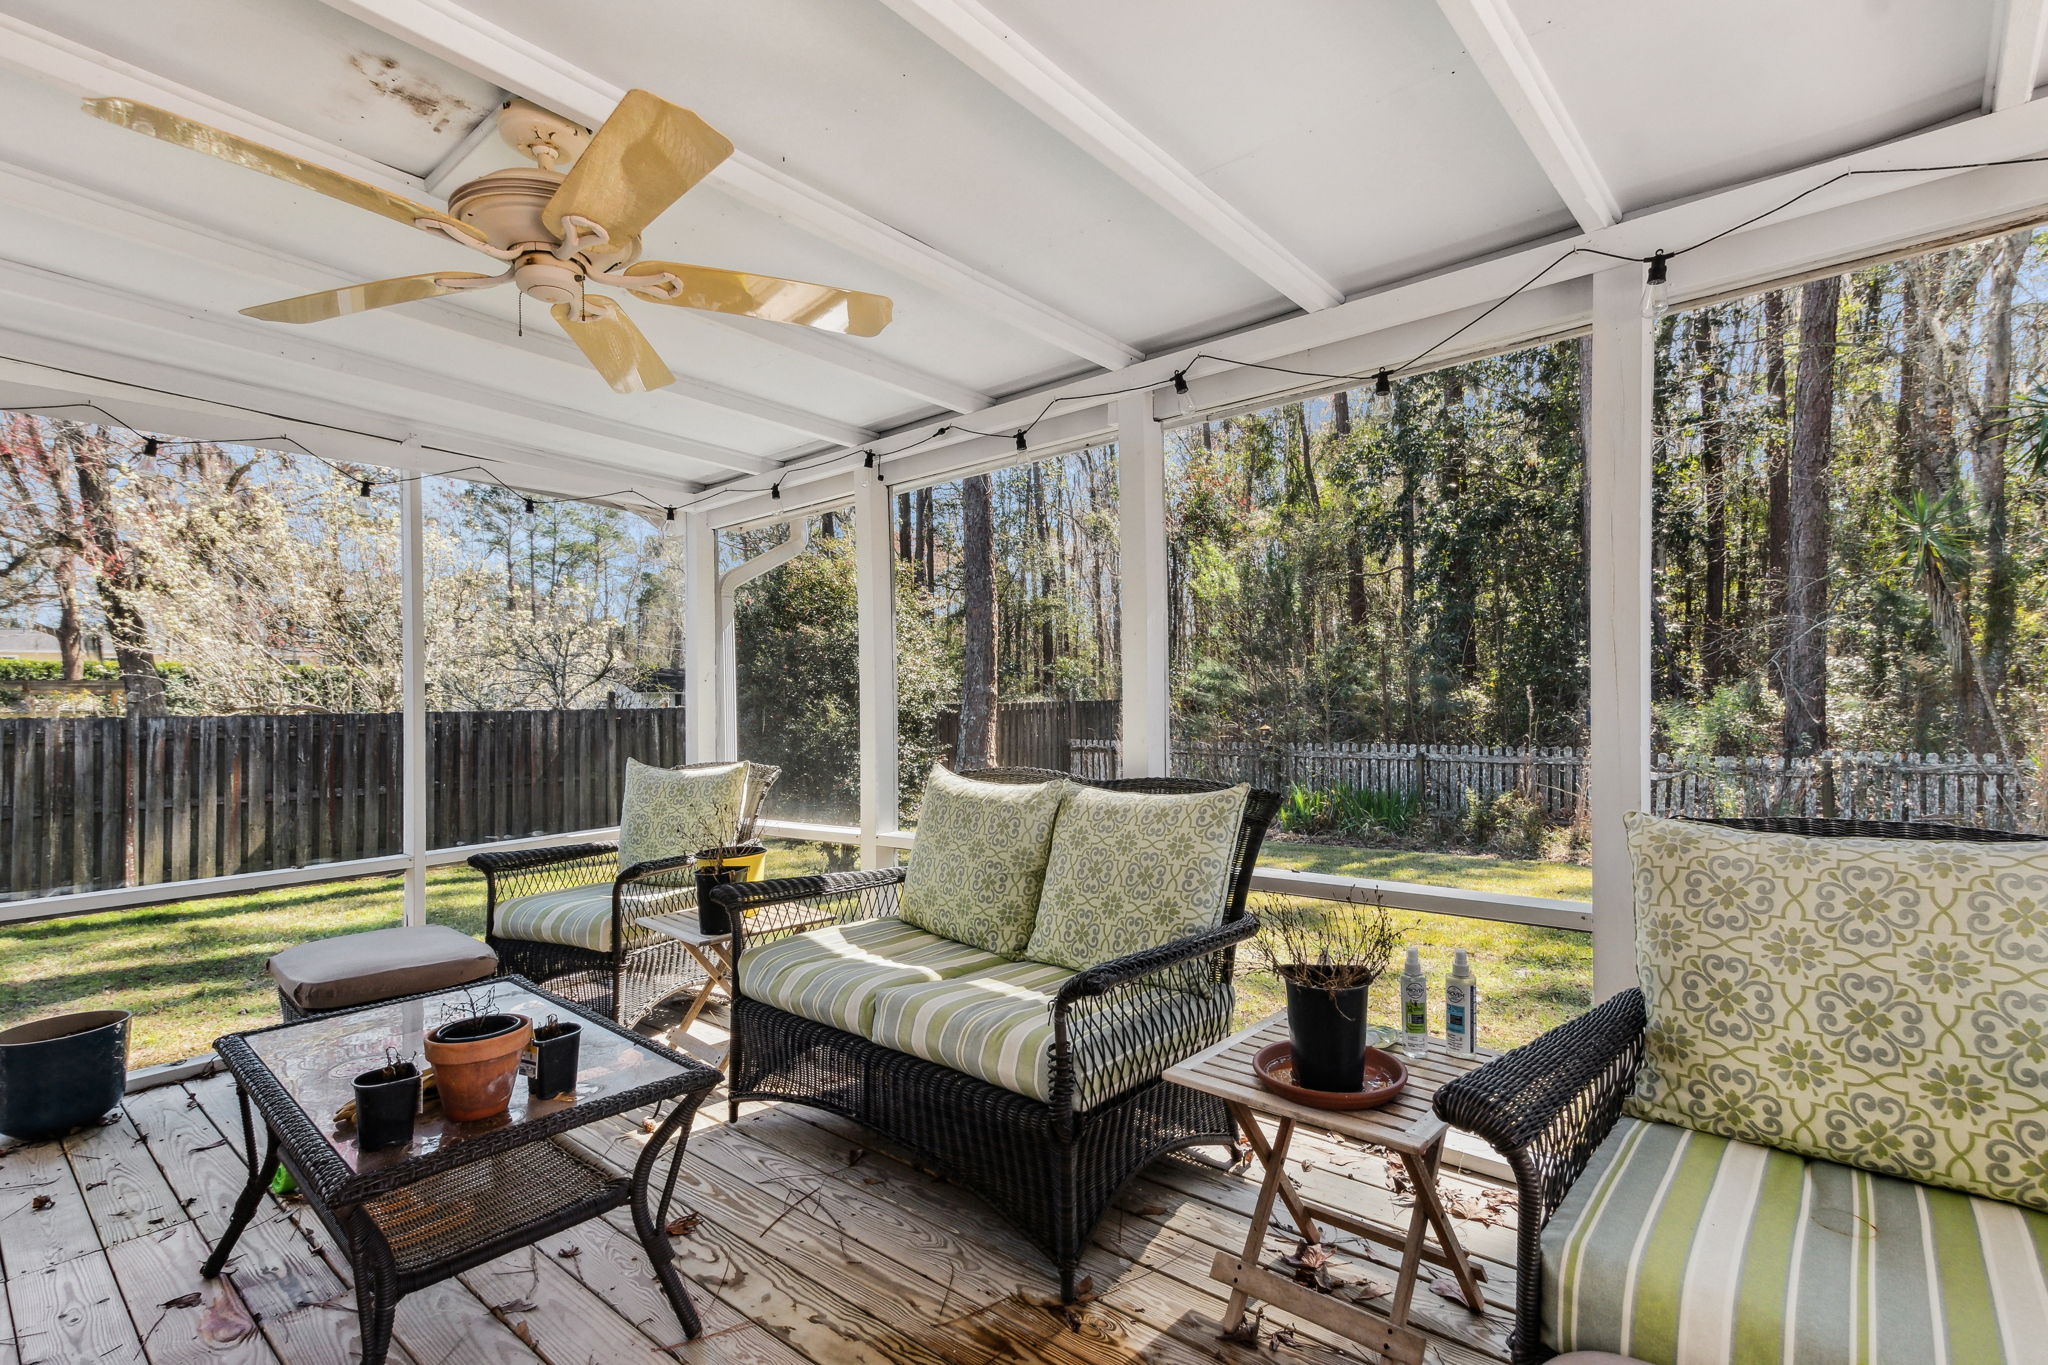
(1969, 789)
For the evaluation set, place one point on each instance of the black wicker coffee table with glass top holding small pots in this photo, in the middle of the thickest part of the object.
(460, 1194)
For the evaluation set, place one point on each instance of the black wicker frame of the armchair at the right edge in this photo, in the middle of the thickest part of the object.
(1549, 1104)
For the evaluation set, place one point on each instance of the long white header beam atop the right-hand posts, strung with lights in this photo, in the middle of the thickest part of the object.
(1461, 294)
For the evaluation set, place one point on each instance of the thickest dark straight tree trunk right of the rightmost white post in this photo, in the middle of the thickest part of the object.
(1807, 525)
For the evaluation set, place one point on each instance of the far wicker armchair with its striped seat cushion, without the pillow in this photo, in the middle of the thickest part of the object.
(568, 918)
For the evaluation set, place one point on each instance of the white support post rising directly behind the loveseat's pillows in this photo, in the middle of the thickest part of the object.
(1144, 586)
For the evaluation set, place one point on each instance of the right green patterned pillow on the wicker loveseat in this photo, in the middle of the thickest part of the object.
(1134, 871)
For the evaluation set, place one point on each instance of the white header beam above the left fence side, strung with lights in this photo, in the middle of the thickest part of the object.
(183, 326)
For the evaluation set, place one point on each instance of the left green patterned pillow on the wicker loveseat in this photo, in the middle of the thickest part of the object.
(980, 861)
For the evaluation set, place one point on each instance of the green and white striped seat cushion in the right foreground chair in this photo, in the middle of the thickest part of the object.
(1680, 1247)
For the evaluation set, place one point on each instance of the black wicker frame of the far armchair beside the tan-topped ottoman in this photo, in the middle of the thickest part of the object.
(642, 967)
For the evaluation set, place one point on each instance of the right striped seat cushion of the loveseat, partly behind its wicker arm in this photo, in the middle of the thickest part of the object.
(998, 1026)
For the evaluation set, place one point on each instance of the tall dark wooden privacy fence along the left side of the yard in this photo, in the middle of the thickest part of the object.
(99, 803)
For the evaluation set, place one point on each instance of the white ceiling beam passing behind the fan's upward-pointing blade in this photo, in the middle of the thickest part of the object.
(527, 69)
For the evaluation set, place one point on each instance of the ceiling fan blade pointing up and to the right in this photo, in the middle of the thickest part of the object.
(644, 159)
